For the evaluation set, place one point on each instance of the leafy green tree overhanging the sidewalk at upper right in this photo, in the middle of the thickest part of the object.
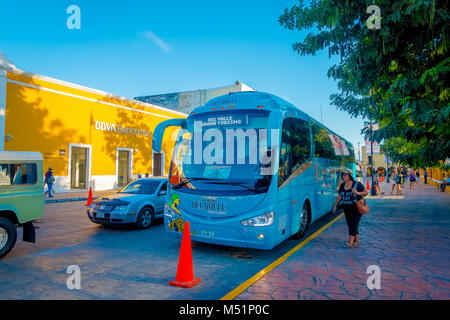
(396, 75)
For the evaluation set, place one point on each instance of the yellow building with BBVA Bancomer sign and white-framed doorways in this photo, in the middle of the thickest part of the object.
(90, 138)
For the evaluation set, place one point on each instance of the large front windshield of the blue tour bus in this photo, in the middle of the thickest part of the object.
(220, 153)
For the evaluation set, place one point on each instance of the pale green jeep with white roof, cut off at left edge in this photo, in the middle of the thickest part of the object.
(21, 196)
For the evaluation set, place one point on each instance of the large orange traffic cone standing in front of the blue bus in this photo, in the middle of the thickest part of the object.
(185, 271)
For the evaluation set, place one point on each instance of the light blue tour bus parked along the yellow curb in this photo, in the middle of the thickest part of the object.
(229, 194)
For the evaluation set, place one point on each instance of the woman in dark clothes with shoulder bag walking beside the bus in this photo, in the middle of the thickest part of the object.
(350, 191)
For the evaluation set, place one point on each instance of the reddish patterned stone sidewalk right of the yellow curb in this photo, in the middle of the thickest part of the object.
(406, 236)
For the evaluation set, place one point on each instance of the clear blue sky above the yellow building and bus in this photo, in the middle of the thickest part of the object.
(136, 47)
